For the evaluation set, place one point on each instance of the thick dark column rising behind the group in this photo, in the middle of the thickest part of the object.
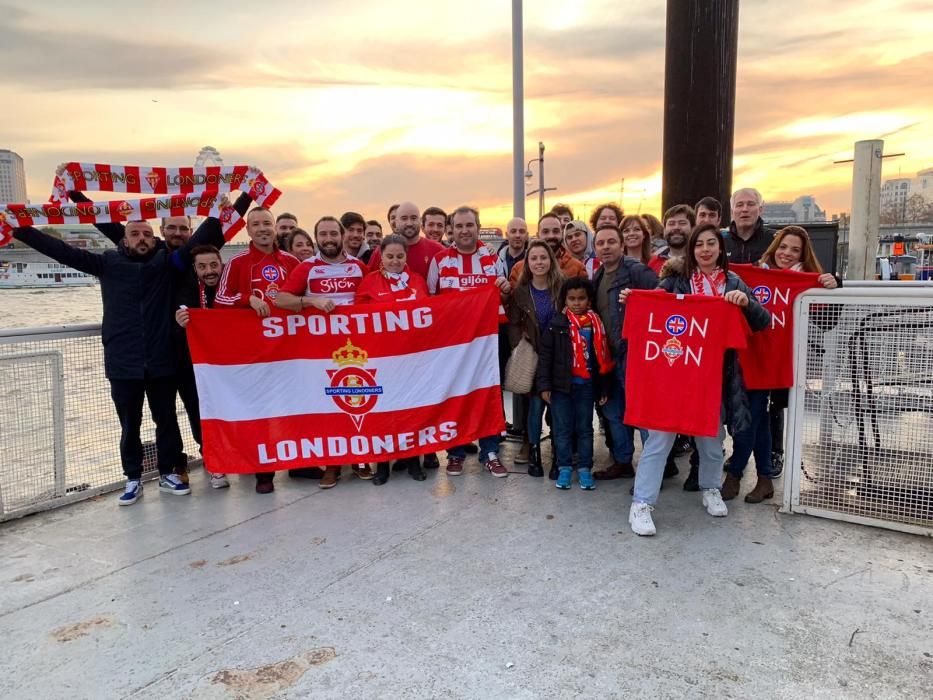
(699, 101)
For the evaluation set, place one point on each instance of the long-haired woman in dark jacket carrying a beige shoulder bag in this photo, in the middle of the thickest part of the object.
(530, 308)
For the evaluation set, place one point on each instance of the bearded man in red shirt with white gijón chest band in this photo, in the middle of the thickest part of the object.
(325, 281)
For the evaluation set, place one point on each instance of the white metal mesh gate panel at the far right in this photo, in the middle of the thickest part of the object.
(861, 432)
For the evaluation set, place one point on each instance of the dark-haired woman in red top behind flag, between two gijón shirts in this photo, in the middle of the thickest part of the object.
(392, 283)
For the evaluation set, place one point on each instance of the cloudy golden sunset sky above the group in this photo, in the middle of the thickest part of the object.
(355, 105)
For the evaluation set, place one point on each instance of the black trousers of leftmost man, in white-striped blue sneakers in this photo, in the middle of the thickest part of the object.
(127, 395)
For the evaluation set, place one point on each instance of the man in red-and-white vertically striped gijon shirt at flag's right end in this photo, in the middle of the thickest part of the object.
(467, 265)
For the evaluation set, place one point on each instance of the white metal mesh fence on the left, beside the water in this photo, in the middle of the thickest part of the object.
(60, 435)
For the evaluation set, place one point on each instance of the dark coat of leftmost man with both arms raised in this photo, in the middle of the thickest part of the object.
(137, 296)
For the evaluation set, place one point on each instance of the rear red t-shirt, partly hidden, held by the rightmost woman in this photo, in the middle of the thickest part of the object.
(768, 361)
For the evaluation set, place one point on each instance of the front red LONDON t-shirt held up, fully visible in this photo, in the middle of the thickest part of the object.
(673, 375)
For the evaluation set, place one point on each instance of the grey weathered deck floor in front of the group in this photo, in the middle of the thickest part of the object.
(456, 587)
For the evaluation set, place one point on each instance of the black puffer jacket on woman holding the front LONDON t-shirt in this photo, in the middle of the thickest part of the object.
(734, 397)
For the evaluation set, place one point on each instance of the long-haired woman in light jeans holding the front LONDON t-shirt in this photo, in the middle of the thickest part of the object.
(704, 270)
